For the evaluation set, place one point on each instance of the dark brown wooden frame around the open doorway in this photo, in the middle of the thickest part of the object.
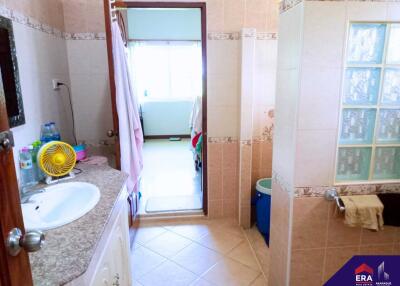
(138, 4)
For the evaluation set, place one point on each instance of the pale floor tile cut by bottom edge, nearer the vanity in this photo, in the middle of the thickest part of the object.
(168, 274)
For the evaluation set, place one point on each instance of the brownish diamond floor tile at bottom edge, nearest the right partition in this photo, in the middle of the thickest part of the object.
(232, 273)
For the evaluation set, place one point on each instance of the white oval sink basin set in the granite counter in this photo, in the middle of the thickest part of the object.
(59, 205)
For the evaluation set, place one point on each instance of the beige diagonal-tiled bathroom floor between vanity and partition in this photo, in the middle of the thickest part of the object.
(196, 252)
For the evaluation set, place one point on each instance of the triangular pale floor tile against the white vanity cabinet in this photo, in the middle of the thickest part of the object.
(143, 261)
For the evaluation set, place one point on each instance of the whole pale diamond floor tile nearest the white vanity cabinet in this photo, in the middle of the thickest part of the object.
(168, 244)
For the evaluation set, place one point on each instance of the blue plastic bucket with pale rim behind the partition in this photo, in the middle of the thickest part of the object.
(263, 206)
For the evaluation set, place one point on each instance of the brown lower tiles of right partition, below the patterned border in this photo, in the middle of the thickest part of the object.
(317, 255)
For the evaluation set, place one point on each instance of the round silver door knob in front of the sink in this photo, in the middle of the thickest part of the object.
(31, 241)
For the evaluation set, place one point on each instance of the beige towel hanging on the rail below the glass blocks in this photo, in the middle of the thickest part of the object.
(363, 211)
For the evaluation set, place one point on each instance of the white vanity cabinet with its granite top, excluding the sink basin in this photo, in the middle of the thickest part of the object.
(93, 250)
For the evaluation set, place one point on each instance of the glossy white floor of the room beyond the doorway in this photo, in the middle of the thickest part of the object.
(169, 178)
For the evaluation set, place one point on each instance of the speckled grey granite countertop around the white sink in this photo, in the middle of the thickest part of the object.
(69, 249)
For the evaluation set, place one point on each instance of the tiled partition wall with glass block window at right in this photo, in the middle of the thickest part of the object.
(337, 129)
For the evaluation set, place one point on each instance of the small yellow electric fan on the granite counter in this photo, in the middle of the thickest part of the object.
(57, 160)
